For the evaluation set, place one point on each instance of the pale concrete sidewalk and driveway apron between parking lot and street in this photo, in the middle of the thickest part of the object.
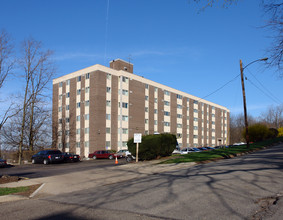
(71, 182)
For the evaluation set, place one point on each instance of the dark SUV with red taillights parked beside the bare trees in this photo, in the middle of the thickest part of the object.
(47, 156)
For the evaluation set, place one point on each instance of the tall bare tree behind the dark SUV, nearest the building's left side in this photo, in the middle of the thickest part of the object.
(38, 70)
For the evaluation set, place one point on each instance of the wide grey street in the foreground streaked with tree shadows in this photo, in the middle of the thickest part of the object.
(247, 187)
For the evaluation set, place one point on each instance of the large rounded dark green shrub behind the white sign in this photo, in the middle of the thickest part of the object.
(153, 146)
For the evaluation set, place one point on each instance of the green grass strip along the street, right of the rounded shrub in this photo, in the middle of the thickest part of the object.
(221, 153)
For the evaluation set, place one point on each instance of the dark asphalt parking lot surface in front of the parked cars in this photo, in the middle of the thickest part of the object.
(41, 170)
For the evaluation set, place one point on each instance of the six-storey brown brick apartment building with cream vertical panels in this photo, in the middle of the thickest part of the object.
(102, 107)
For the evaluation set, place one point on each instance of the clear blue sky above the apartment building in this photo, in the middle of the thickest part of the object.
(169, 42)
